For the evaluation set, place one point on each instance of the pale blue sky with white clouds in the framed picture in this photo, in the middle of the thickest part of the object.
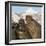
(23, 9)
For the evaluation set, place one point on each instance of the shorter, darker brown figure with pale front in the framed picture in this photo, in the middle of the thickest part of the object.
(22, 31)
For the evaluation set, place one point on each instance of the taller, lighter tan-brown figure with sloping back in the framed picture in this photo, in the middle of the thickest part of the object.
(34, 27)
